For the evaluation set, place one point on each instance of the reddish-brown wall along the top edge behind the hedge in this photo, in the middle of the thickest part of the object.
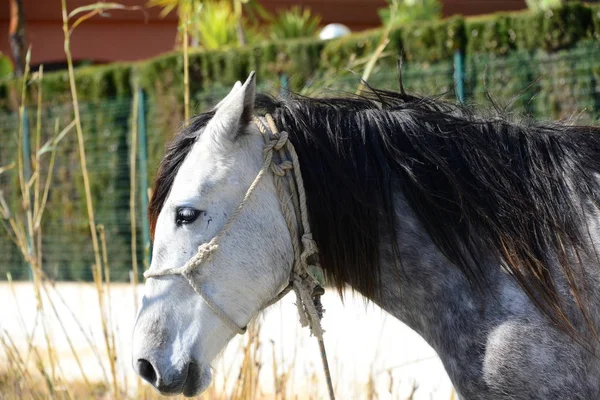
(135, 35)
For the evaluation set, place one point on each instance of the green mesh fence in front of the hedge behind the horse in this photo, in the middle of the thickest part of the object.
(561, 85)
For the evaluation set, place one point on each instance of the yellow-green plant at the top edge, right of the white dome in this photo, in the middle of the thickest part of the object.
(400, 12)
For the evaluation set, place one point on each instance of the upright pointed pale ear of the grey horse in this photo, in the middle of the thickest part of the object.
(235, 111)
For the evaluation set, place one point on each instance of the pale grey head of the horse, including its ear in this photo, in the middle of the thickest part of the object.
(178, 333)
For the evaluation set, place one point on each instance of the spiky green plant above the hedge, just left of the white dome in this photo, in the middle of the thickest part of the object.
(297, 22)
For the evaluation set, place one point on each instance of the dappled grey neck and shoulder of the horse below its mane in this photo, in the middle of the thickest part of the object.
(473, 331)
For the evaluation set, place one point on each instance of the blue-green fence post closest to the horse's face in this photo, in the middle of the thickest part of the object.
(143, 161)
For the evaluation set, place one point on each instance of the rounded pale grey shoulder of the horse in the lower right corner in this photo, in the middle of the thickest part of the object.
(529, 359)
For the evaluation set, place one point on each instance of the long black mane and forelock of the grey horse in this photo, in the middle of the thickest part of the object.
(515, 190)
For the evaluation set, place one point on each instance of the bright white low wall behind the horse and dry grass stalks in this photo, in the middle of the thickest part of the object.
(361, 341)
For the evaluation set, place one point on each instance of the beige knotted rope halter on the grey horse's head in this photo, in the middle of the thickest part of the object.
(302, 280)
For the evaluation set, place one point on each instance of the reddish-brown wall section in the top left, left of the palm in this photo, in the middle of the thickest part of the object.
(124, 36)
